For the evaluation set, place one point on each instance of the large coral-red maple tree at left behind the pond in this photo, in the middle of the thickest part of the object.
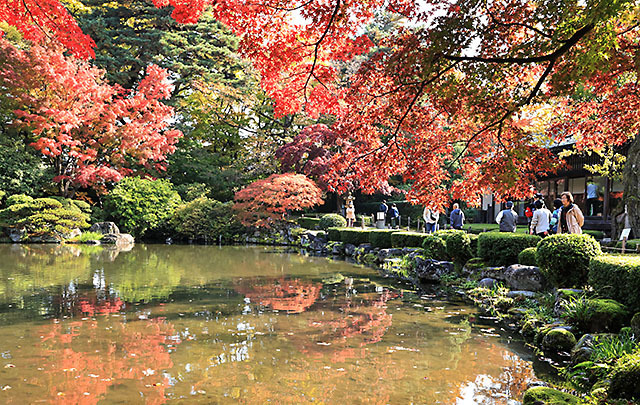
(91, 132)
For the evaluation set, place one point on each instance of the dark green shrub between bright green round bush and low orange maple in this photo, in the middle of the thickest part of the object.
(204, 219)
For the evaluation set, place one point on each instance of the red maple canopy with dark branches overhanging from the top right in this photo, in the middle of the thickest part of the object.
(458, 85)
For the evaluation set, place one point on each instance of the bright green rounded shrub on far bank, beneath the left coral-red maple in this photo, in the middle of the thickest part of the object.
(139, 205)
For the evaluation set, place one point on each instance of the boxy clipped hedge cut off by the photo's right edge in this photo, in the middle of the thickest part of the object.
(617, 277)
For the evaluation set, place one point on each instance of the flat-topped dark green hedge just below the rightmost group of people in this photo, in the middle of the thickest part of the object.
(503, 248)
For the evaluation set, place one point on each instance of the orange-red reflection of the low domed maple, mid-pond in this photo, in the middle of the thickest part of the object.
(293, 296)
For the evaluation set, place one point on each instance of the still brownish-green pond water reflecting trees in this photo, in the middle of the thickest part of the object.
(204, 324)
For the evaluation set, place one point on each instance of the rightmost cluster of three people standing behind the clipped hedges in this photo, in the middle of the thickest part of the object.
(565, 218)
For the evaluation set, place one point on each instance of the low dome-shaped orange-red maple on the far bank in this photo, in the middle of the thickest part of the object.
(266, 201)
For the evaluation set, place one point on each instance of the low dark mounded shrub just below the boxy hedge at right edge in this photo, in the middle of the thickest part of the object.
(595, 315)
